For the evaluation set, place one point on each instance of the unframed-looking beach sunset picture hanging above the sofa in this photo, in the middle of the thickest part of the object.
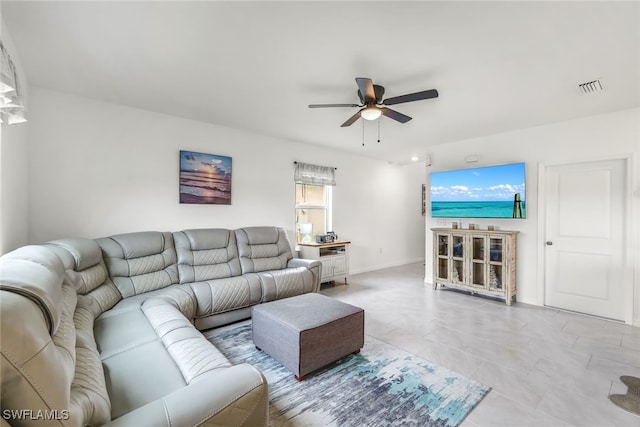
(205, 179)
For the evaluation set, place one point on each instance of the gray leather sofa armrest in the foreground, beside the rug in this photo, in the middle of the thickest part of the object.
(236, 396)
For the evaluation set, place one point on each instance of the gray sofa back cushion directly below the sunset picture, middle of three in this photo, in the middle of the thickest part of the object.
(206, 254)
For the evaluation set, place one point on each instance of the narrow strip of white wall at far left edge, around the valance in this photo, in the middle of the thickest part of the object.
(13, 167)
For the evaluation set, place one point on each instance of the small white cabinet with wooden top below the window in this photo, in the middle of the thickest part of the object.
(333, 256)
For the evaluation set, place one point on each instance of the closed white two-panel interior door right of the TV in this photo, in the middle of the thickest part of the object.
(585, 229)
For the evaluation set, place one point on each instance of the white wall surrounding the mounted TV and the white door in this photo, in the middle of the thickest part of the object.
(591, 138)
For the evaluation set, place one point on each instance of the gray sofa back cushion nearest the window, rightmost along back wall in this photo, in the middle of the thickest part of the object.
(263, 248)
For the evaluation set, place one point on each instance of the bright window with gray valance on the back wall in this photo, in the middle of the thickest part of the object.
(313, 200)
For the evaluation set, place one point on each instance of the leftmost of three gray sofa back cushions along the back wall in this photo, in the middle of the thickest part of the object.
(140, 262)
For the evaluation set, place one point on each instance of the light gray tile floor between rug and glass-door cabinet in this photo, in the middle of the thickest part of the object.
(546, 367)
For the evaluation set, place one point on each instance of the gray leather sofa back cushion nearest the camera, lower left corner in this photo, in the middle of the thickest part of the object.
(38, 335)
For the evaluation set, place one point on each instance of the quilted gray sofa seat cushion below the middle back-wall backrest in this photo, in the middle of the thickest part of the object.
(221, 295)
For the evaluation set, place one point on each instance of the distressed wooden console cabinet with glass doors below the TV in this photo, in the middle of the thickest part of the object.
(478, 261)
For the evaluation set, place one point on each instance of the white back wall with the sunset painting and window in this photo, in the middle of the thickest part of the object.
(98, 169)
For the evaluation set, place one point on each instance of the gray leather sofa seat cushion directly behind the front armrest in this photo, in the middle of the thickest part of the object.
(150, 351)
